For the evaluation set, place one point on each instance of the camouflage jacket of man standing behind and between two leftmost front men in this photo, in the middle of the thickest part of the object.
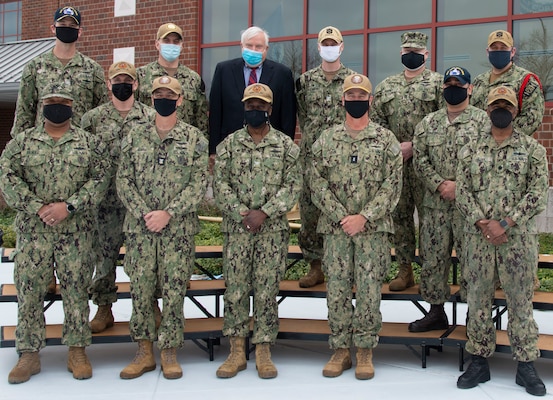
(106, 122)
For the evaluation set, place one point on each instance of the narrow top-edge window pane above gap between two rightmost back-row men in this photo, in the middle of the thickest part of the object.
(451, 10)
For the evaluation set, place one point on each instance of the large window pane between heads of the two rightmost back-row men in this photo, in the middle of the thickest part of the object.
(469, 53)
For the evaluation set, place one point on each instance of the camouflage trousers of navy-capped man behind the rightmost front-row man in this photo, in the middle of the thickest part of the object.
(441, 232)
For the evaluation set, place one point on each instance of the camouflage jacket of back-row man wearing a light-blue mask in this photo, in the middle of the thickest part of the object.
(194, 107)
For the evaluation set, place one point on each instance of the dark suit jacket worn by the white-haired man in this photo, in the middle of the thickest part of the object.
(226, 110)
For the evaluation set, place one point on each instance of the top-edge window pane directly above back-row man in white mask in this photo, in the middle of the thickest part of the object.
(323, 13)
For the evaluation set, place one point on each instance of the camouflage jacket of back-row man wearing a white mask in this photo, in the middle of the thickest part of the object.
(319, 103)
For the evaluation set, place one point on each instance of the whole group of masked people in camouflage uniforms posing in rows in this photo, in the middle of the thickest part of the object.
(86, 173)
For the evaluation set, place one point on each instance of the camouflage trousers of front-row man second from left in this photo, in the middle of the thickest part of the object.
(151, 260)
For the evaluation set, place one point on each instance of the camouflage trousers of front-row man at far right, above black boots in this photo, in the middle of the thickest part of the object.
(514, 263)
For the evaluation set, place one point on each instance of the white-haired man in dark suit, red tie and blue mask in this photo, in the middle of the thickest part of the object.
(226, 110)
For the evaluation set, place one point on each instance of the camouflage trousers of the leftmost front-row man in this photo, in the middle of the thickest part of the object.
(70, 254)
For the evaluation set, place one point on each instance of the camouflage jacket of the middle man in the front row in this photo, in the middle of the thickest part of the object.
(262, 177)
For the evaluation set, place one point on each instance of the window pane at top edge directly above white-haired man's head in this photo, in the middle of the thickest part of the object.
(282, 18)
